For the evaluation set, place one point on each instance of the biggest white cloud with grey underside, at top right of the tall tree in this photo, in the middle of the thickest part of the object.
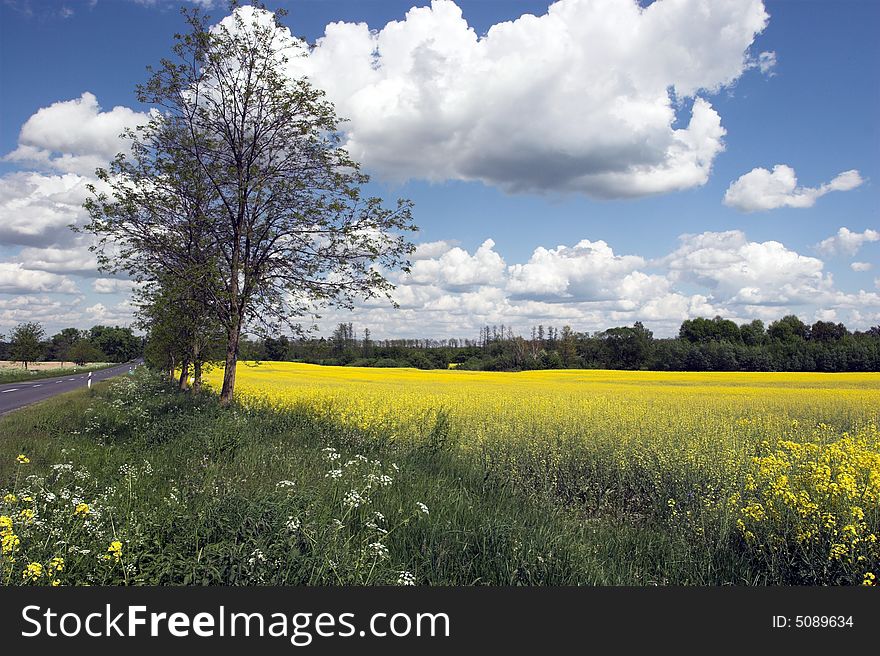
(583, 98)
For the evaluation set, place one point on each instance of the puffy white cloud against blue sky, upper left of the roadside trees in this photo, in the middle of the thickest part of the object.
(74, 136)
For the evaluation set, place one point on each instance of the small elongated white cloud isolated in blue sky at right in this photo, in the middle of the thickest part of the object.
(760, 189)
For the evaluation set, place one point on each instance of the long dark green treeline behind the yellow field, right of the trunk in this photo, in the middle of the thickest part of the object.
(718, 344)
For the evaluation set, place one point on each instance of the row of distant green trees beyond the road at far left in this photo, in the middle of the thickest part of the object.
(28, 343)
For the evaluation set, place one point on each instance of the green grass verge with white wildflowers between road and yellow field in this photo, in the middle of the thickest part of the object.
(197, 494)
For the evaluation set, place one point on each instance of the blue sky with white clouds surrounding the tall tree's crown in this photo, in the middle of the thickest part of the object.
(603, 249)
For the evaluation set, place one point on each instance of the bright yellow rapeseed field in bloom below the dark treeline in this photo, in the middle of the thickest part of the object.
(789, 461)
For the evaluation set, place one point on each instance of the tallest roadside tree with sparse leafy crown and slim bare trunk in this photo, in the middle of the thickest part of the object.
(290, 230)
